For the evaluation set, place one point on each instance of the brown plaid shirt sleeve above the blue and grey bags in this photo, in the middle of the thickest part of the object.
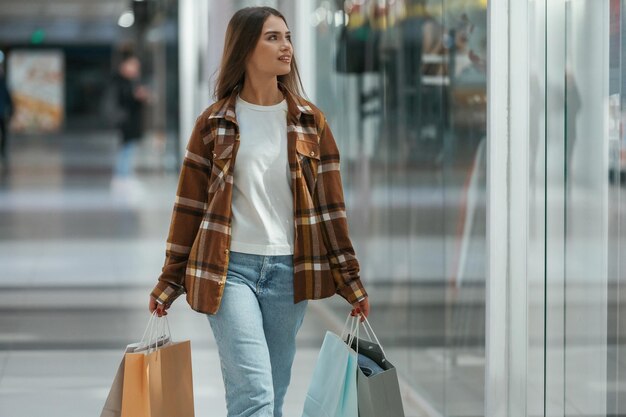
(330, 201)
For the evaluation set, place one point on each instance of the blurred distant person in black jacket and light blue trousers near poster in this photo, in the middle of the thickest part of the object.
(131, 97)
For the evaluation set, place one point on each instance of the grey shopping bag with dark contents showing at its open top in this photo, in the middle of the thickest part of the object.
(377, 380)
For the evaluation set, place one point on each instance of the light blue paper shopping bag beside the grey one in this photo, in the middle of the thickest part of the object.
(332, 391)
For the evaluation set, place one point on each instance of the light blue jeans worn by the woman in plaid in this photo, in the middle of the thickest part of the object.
(255, 329)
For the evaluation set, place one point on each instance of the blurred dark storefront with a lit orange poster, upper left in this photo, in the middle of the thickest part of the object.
(61, 59)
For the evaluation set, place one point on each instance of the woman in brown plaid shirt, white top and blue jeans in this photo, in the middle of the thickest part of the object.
(259, 224)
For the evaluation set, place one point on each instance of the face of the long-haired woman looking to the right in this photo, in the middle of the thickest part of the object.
(273, 52)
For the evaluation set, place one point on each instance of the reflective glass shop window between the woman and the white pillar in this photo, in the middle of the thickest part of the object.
(403, 85)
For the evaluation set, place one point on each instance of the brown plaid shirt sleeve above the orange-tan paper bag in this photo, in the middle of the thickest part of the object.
(189, 207)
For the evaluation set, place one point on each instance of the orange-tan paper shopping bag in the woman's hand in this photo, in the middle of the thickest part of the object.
(158, 383)
